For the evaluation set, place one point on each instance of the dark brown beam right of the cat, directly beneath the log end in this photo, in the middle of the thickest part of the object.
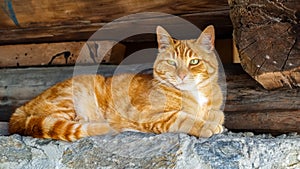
(245, 95)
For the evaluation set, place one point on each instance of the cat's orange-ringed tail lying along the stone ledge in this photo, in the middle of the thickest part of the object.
(53, 127)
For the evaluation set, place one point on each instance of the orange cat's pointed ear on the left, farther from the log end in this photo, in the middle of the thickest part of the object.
(164, 40)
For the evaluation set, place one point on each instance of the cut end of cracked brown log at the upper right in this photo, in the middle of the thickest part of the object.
(267, 36)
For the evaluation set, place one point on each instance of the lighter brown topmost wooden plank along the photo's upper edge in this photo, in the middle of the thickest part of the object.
(69, 12)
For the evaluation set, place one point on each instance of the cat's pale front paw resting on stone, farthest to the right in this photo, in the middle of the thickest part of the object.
(210, 128)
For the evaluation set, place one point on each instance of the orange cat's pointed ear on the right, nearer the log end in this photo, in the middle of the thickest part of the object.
(207, 38)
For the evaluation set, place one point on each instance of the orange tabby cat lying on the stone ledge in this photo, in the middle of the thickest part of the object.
(182, 95)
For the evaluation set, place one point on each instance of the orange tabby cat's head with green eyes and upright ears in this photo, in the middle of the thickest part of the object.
(185, 64)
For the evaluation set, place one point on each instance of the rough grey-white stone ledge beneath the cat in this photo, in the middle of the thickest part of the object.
(138, 150)
